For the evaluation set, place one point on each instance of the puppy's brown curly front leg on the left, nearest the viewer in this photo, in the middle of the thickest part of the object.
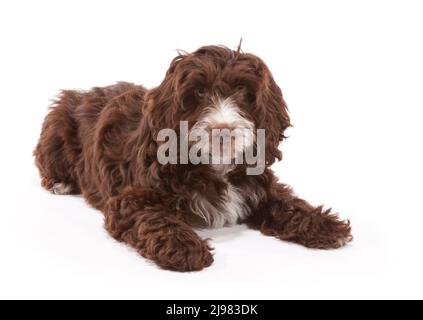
(145, 223)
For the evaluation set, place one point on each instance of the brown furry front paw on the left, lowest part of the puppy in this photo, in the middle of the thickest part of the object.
(183, 252)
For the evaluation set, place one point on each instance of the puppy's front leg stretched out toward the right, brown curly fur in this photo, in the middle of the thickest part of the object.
(290, 218)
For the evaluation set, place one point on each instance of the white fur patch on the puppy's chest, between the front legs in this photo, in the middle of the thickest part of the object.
(231, 208)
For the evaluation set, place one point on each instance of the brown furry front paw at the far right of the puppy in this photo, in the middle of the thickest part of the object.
(327, 231)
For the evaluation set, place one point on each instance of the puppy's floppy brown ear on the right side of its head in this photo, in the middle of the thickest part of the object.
(274, 117)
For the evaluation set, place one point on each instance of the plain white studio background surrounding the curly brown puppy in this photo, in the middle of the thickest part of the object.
(352, 74)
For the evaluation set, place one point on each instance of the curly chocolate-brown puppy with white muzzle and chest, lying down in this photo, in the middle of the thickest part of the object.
(103, 143)
